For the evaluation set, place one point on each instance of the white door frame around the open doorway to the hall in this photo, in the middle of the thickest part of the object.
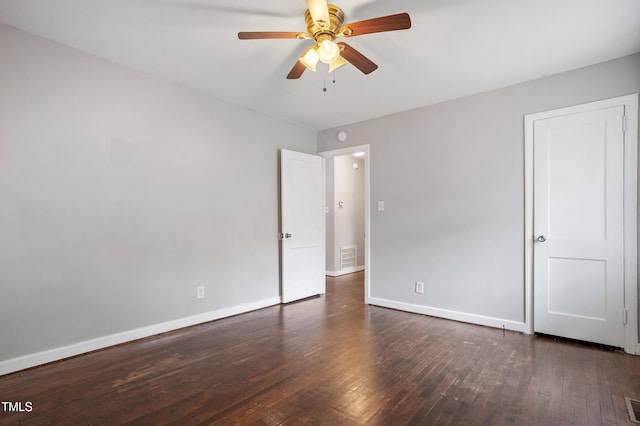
(367, 207)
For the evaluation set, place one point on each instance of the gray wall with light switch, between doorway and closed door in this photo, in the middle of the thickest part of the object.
(452, 178)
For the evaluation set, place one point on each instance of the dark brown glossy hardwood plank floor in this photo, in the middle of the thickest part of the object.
(331, 360)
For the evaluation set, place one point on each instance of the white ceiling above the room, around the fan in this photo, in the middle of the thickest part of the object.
(454, 48)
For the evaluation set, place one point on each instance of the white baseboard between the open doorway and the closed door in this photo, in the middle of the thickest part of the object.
(447, 314)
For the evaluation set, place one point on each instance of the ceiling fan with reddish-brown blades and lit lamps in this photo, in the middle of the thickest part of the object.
(324, 25)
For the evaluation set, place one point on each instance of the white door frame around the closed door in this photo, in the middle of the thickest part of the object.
(630, 103)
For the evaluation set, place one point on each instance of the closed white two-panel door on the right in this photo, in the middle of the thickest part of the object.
(578, 226)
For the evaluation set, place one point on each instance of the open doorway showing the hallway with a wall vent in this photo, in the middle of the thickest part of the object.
(347, 234)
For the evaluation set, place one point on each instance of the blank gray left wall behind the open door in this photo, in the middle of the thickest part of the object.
(120, 193)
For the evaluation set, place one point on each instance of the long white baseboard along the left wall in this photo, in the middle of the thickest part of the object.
(39, 358)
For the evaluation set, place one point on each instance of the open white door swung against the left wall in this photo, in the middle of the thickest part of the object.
(302, 209)
